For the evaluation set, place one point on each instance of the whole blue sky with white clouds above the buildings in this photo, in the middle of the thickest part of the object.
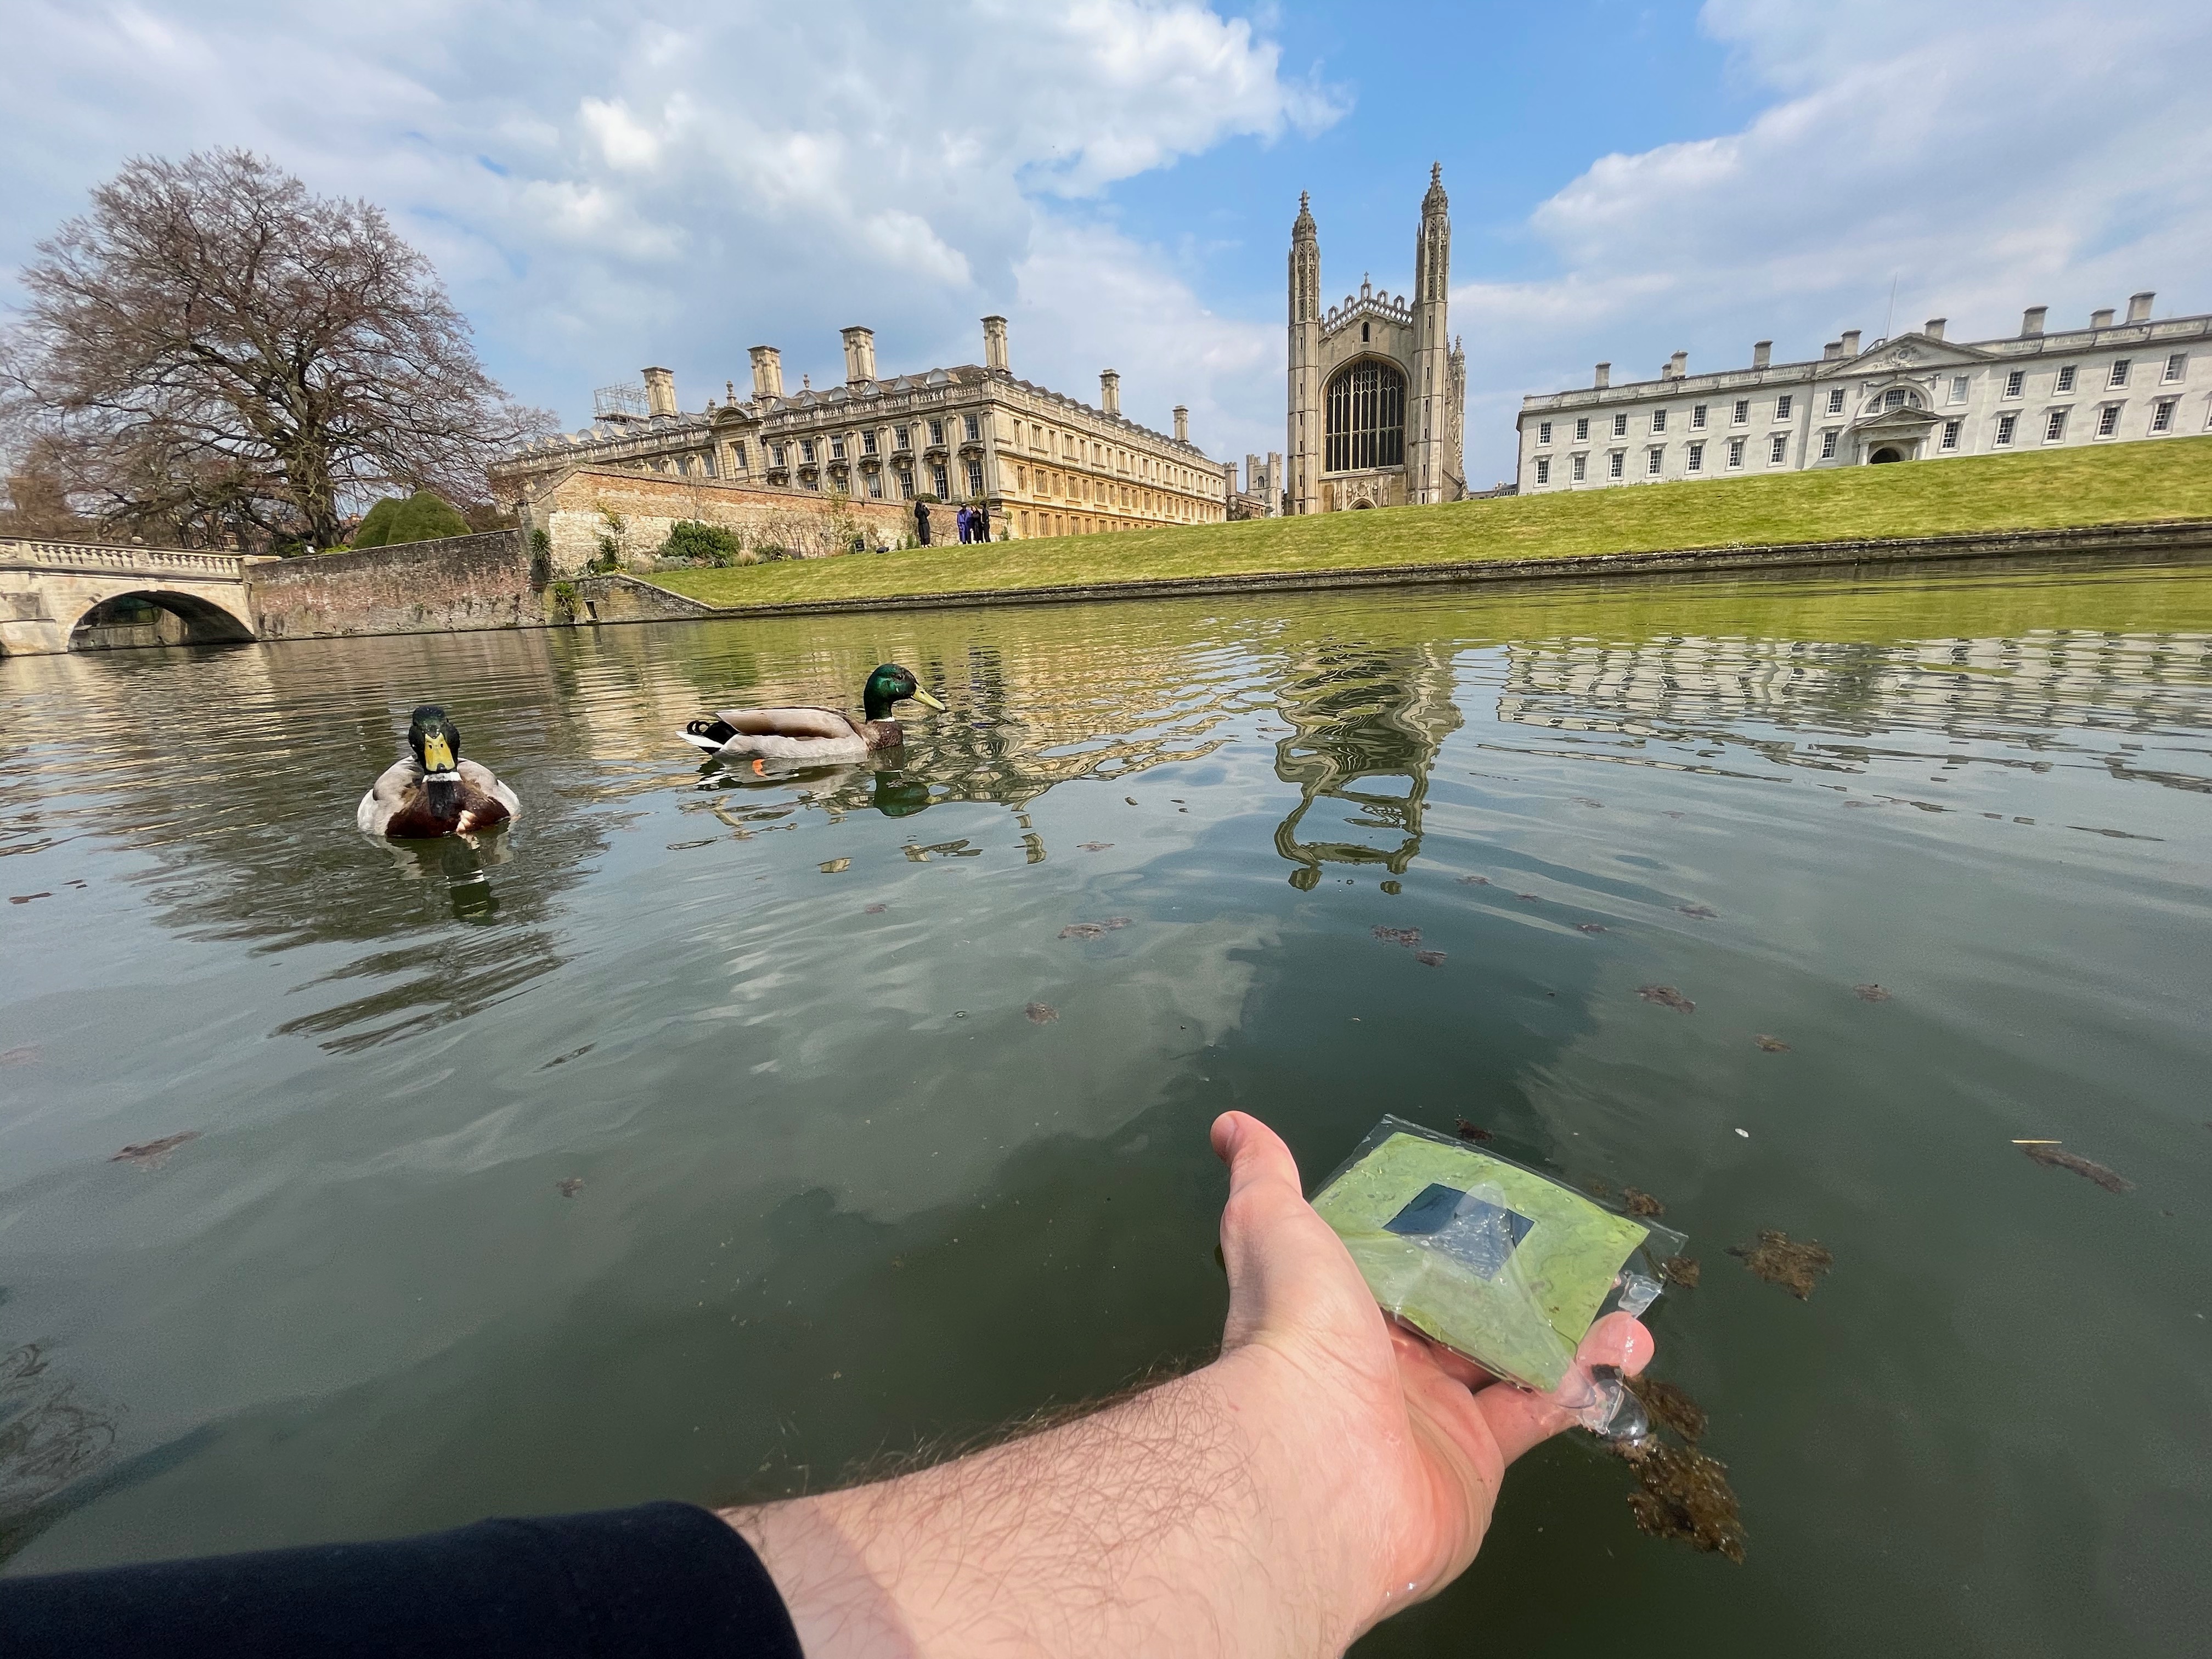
(674, 182)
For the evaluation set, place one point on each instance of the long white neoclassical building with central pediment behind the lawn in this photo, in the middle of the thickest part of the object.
(1917, 397)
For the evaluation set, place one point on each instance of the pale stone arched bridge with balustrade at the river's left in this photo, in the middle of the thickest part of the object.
(76, 596)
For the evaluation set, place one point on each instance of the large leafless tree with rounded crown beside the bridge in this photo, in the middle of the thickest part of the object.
(216, 353)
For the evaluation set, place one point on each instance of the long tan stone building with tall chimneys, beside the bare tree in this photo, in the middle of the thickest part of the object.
(1041, 463)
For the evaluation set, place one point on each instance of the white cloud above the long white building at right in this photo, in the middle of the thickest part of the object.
(1981, 156)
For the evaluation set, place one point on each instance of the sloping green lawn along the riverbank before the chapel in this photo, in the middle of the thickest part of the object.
(2060, 490)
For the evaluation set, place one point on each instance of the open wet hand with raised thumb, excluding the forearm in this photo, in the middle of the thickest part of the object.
(1395, 1448)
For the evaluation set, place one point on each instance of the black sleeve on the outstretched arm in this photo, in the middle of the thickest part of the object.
(634, 1583)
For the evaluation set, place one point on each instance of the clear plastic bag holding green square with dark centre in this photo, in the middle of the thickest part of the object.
(1496, 1262)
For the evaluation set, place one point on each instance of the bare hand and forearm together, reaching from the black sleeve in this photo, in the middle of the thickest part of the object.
(1315, 1479)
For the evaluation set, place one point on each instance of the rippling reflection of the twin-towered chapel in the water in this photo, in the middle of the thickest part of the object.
(1368, 727)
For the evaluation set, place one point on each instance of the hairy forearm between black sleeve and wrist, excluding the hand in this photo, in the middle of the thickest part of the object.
(1151, 1527)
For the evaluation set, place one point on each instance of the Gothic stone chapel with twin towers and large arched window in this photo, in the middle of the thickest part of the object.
(1377, 386)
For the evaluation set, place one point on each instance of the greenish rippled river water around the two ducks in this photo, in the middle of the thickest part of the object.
(873, 1156)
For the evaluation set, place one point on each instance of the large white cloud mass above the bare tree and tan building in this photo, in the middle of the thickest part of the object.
(676, 182)
